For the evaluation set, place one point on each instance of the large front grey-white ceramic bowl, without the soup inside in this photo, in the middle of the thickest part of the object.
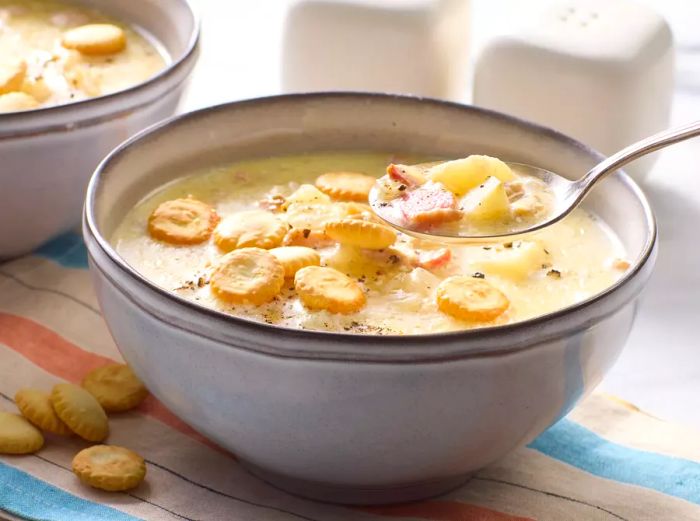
(358, 419)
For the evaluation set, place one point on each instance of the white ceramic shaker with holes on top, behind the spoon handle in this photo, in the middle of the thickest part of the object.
(598, 70)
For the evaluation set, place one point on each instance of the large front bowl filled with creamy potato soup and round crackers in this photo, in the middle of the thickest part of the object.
(248, 284)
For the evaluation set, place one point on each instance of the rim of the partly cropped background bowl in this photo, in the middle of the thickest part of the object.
(66, 110)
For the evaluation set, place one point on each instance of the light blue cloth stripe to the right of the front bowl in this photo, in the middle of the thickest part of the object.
(574, 444)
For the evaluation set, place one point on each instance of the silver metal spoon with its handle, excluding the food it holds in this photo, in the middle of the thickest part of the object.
(567, 194)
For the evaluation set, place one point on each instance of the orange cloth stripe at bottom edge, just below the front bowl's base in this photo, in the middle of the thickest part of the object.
(444, 511)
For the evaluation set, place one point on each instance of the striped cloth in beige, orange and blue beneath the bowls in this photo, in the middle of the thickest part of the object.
(605, 461)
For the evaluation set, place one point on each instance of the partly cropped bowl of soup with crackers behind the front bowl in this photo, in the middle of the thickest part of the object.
(76, 79)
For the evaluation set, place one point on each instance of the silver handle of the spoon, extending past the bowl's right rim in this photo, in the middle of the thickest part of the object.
(635, 151)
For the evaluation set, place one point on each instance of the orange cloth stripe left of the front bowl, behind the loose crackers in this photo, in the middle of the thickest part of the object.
(56, 355)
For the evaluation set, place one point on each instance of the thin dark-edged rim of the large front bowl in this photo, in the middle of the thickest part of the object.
(351, 339)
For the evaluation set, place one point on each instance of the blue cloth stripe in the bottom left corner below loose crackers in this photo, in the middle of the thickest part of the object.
(30, 498)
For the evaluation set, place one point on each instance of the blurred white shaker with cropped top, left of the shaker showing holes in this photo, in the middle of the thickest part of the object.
(401, 46)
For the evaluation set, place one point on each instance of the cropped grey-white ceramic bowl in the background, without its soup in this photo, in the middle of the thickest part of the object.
(48, 154)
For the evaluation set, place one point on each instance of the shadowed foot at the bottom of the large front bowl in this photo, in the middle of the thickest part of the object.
(348, 495)
